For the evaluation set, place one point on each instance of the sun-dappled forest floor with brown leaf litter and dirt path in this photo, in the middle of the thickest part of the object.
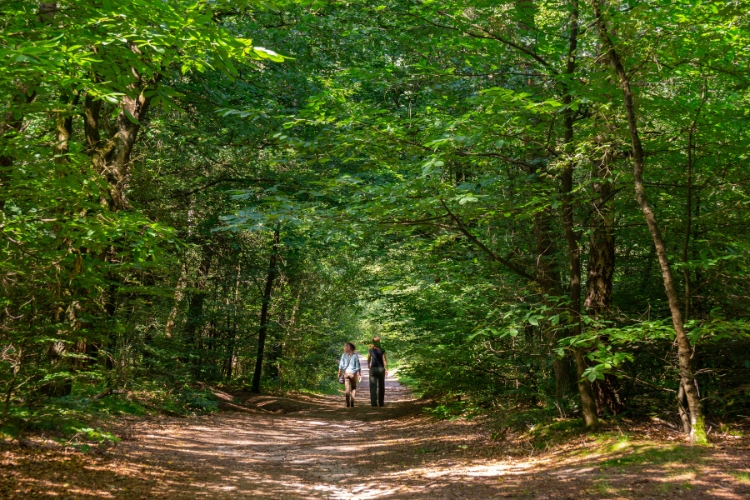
(315, 447)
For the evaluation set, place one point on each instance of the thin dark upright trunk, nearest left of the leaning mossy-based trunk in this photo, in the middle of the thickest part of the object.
(588, 403)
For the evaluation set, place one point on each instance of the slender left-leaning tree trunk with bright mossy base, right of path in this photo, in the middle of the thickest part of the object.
(684, 349)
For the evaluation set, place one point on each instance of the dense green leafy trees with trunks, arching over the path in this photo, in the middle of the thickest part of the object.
(181, 205)
